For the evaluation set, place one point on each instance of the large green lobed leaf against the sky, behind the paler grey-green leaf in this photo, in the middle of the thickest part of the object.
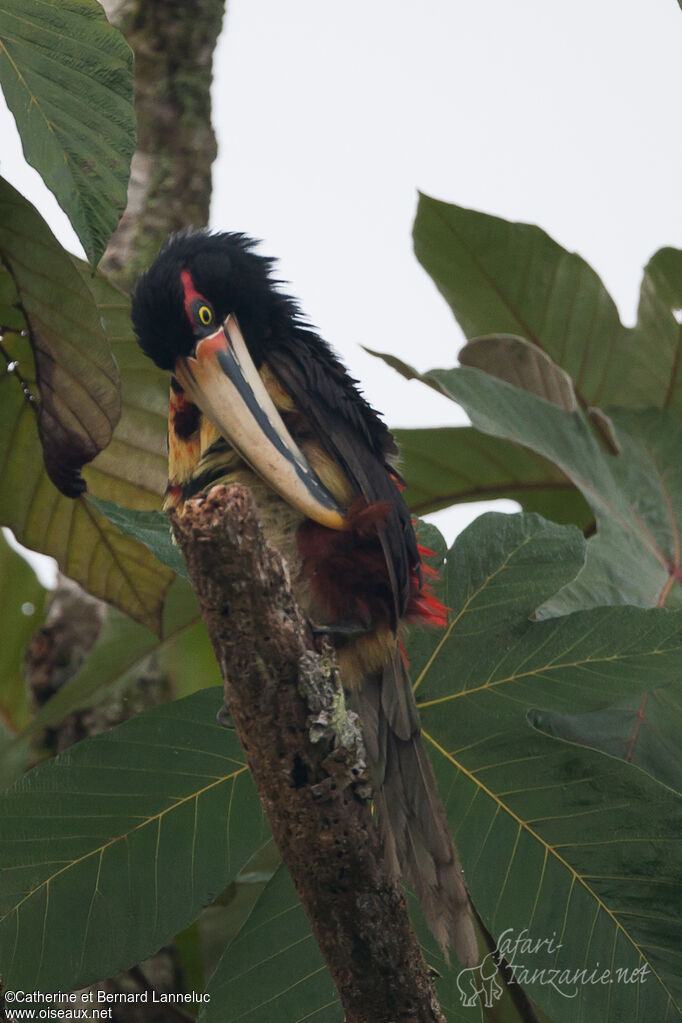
(512, 279)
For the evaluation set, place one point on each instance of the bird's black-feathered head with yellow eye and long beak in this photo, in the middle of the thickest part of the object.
(207, 310)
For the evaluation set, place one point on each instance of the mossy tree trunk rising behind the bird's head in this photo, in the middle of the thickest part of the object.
(170, 186)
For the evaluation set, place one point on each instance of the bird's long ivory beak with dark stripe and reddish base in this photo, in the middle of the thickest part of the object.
(222, 380)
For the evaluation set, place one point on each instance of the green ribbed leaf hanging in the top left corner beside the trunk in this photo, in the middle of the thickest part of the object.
(68, 78)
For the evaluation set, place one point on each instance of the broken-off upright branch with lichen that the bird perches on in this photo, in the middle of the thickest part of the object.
(306, 754)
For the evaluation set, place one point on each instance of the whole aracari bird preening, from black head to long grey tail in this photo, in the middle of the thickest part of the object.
(257, 397)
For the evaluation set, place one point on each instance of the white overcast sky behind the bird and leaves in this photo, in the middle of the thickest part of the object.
(331, 117)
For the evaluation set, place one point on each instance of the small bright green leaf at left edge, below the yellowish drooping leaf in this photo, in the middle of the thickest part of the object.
(22, 602)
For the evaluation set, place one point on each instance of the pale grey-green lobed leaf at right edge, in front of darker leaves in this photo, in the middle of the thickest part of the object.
(636, 497)
